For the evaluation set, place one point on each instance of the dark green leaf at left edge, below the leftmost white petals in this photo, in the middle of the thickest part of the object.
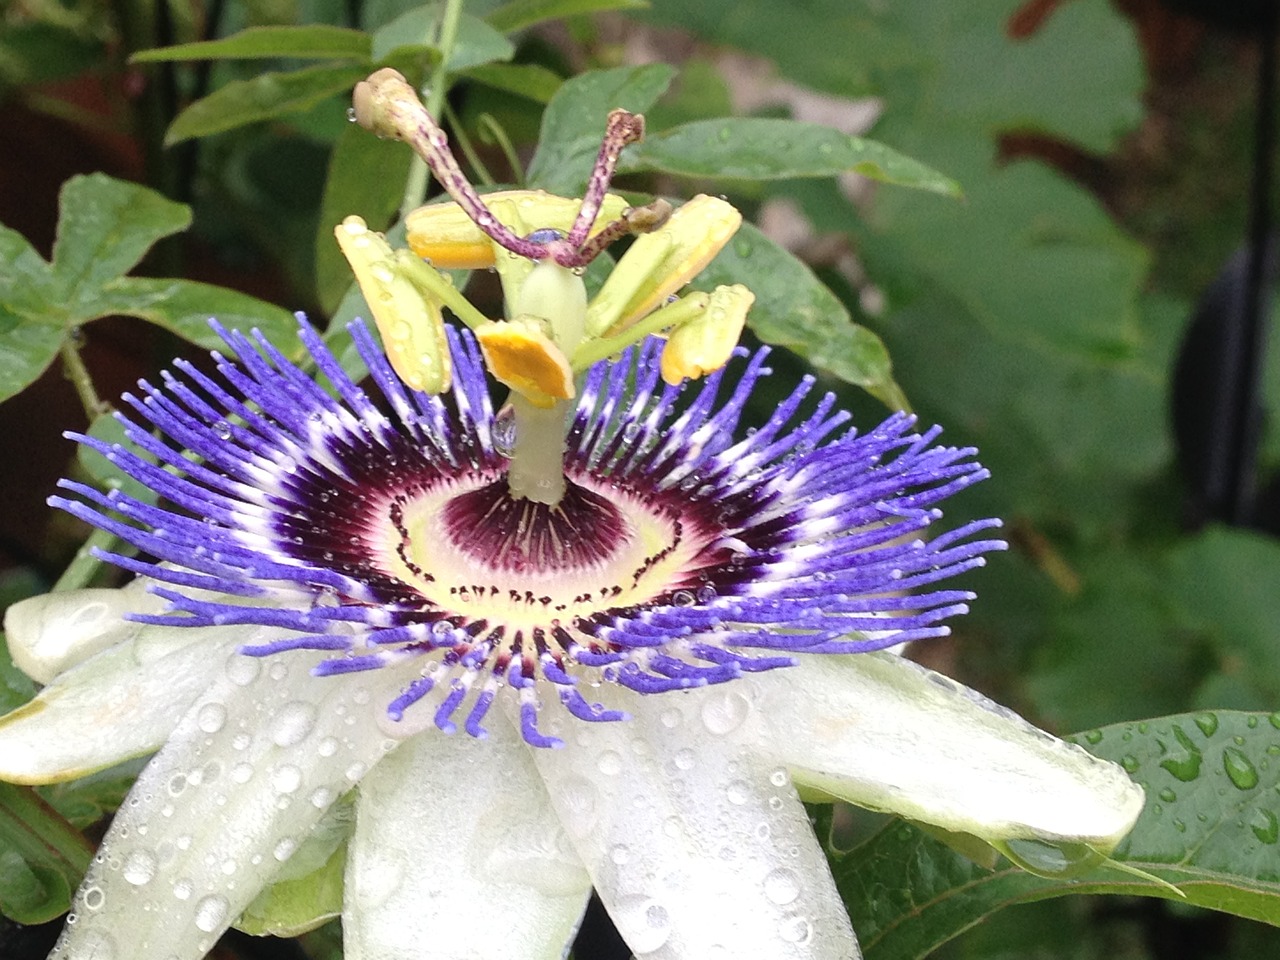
(42, 858)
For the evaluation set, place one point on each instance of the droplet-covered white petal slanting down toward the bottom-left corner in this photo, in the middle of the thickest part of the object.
(248, 774)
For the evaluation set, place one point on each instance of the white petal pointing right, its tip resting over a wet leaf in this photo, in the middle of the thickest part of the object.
(886, 734)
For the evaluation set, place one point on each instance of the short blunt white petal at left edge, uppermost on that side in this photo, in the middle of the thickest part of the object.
(53, 633)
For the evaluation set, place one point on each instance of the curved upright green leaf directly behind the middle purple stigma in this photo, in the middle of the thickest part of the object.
(574, 122)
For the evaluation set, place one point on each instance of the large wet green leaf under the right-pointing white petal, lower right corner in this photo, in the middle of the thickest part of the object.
(1212, 828)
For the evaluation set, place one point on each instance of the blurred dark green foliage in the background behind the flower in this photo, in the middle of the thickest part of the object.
(1105, 157)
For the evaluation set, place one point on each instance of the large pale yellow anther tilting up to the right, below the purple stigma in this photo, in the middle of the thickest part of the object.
(661, 263)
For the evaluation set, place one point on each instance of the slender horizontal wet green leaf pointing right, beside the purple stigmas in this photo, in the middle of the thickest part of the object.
(764, 149)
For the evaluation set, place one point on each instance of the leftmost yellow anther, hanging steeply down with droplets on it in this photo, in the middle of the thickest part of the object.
(410, 322)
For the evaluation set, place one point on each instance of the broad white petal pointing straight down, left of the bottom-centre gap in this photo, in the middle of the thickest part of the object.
(458, 856)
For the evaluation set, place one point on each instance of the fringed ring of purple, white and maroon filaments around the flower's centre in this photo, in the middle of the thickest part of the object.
(380, 529)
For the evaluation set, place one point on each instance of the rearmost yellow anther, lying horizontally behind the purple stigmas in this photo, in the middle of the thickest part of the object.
(446, 236)
